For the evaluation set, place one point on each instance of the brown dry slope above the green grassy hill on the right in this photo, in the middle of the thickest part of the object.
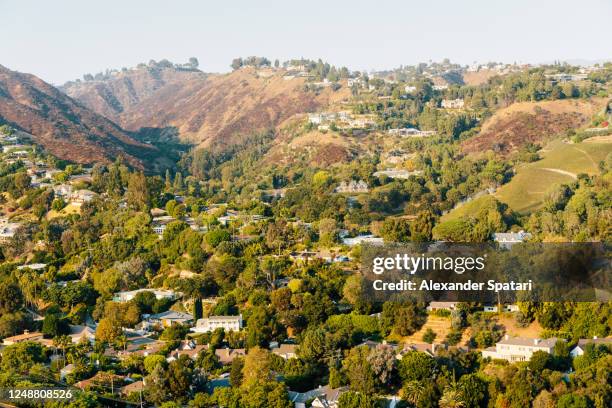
(524, 122)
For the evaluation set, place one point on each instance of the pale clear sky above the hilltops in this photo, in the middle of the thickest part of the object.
(62, 39)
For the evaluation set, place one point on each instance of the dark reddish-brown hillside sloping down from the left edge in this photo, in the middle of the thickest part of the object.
(63, 127)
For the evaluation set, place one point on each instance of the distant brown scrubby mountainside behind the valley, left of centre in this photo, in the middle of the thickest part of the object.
(206, 110)
